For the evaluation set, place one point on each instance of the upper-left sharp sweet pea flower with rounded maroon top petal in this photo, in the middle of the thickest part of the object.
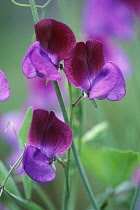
(55, 42)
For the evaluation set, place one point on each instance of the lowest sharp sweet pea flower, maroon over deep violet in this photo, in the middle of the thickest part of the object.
(48, 137)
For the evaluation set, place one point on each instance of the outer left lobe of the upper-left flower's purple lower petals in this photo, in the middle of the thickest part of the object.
(28, 68)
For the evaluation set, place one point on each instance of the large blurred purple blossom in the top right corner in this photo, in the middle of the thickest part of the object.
(110, 17)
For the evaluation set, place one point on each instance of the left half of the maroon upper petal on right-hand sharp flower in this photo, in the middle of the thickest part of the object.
(76, 67)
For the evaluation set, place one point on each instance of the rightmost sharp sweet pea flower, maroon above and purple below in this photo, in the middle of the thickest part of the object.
(85, 69)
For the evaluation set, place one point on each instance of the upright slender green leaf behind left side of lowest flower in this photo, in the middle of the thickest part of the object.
(23, 132)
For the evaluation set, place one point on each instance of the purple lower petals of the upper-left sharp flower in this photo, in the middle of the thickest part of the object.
(37, 60)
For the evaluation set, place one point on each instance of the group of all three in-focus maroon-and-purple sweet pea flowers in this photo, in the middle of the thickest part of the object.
(85, 68)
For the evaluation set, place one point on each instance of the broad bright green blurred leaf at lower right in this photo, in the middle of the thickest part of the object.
(110, 166)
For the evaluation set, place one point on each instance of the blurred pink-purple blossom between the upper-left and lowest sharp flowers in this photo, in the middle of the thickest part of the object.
(42, 94)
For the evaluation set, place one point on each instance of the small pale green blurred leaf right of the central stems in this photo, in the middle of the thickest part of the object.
(94, 132)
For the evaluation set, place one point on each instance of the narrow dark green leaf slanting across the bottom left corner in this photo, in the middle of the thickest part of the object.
(27, 204)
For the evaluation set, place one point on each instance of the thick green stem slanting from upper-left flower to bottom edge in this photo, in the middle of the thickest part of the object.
(78, 161)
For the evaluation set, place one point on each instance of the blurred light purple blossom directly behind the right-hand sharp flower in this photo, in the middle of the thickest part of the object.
(114, 53)
